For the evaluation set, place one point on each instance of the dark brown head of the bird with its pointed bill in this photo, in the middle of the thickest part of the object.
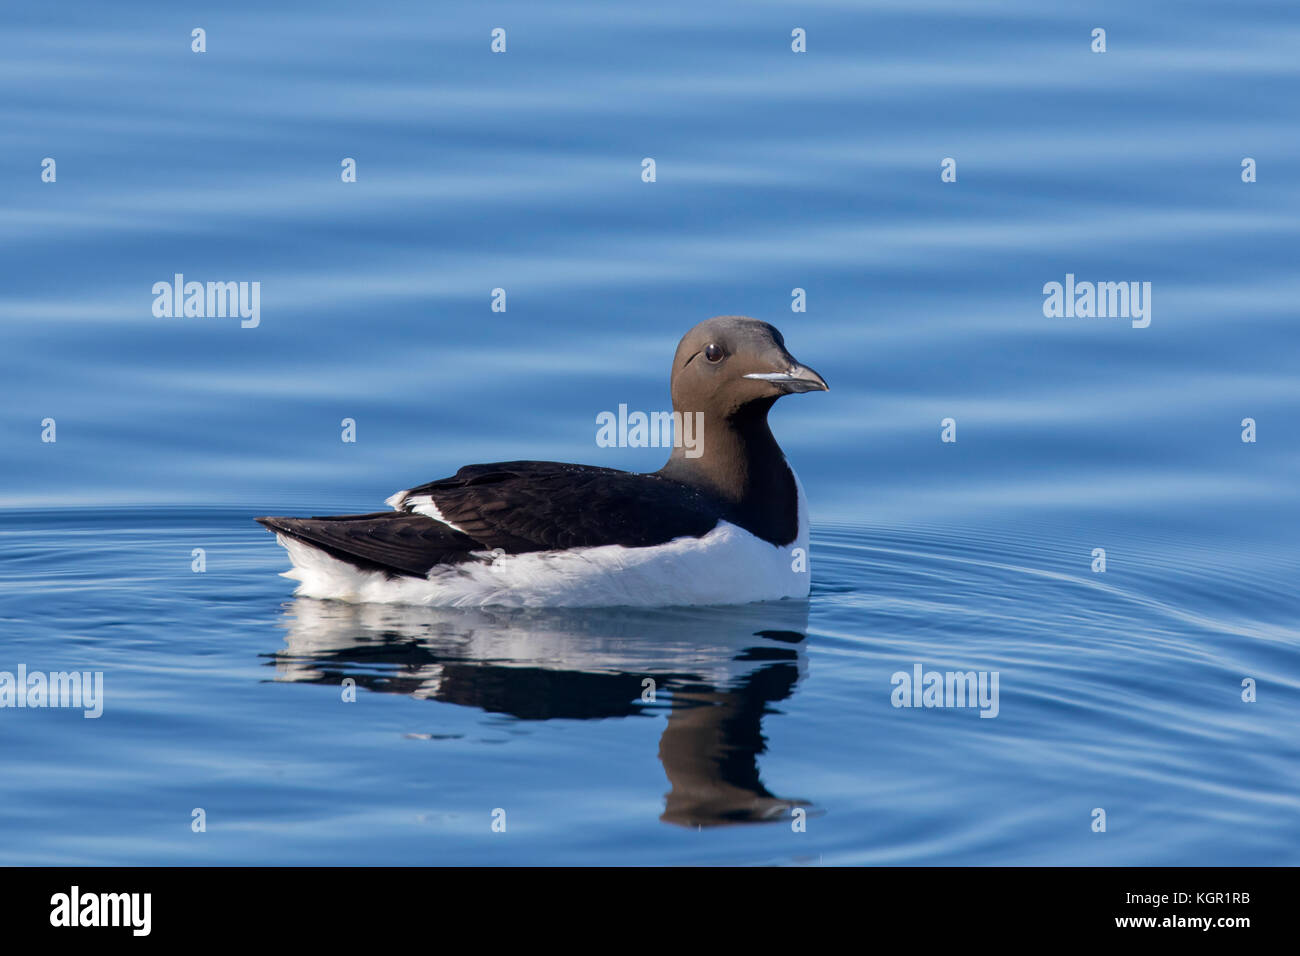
(733, 364)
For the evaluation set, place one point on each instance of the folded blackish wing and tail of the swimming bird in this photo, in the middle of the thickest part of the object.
(515, 508)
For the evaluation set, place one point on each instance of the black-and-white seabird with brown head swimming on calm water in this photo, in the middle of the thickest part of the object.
(723, 524)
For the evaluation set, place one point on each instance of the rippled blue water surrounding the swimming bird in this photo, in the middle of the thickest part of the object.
(1120, 690)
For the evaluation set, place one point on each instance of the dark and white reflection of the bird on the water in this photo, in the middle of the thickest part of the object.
(720, 669)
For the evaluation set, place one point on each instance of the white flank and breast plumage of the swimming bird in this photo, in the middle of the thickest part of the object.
(726, 566)
